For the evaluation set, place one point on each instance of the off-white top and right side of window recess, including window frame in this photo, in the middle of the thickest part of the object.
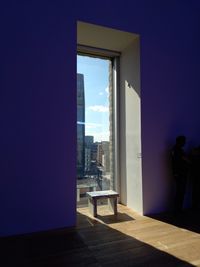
(123, 49)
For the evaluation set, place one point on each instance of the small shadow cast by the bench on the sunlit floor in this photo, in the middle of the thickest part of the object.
(120, 217)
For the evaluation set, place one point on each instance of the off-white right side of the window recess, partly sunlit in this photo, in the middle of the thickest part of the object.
(130, 125)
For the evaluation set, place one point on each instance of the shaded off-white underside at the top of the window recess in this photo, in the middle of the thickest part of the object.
(103, 37)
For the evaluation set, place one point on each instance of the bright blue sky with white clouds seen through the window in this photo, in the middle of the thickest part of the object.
(96, 81)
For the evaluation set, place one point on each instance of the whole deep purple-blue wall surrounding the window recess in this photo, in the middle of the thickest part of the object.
(38, 101)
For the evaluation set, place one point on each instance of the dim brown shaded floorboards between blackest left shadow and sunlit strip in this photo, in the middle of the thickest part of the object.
(111, 247)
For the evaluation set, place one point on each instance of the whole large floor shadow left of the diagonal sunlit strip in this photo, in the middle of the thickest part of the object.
(90, 245)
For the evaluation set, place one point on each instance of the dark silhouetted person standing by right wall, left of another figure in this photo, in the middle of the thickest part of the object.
(180, 171)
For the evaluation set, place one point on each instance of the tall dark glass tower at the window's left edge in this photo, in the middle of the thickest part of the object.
(80, 126)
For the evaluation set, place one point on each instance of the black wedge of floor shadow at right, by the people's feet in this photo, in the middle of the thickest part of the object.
(187, 219)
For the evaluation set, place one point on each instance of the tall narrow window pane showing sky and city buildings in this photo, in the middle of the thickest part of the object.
(95, 137)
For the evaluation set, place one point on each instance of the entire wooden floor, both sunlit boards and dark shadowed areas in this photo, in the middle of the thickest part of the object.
(126, 239)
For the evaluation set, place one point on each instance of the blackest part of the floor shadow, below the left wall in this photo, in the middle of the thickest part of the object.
(61, 247)
